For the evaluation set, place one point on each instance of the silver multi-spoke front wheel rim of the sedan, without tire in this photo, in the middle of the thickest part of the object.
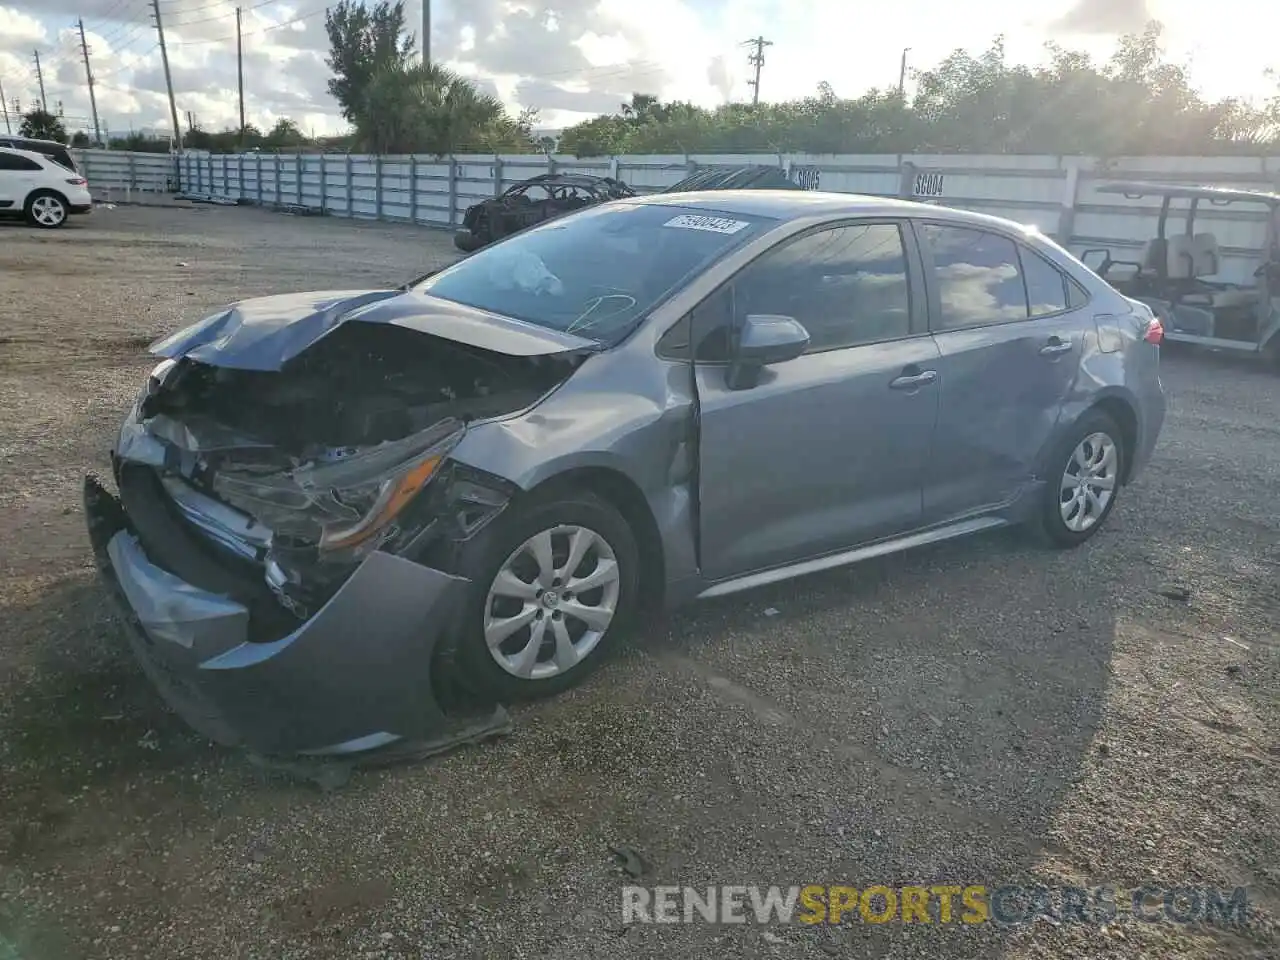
(552, 602)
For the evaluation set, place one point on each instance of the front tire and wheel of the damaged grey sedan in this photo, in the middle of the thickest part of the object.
(505, 548)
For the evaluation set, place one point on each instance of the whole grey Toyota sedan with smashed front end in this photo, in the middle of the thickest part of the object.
(335, 509)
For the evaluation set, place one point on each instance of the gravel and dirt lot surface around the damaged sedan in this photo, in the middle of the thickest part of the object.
(982, 712)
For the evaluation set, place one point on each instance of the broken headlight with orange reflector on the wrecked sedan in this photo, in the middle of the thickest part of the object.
(349, 501)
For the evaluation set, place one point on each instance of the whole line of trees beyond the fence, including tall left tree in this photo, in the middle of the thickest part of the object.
(1136, 103)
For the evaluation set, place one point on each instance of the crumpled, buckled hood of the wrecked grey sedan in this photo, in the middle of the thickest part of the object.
(268, 332)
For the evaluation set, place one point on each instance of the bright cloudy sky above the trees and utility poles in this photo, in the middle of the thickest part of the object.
(574, 58)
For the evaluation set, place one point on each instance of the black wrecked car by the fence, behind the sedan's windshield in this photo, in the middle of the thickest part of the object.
(538, 199)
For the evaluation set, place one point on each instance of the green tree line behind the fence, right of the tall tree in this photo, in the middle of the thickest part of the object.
(1136, 103)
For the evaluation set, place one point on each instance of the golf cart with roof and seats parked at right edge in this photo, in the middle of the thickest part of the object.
(1172, 275)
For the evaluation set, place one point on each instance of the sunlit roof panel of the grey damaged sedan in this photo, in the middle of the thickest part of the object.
(797, 204)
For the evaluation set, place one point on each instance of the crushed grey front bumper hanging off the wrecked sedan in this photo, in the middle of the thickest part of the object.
(355, 678)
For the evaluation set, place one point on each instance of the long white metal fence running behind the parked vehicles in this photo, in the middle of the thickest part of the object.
(1058, 195)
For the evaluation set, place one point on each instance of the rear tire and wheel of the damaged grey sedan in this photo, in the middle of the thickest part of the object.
(1091, 437)
